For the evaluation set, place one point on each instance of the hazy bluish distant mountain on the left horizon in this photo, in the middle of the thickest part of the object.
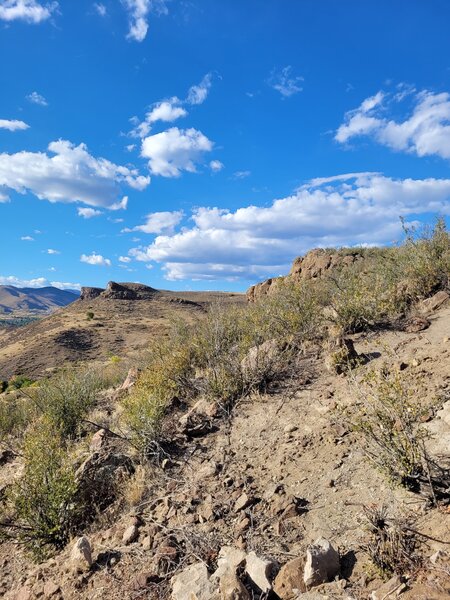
(13, 299)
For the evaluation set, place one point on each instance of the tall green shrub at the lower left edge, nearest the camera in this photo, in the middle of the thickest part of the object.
(41, 506)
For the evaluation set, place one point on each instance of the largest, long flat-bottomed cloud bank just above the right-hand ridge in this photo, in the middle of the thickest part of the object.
(258, 241)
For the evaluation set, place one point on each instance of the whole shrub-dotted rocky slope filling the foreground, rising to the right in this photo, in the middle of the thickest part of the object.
(294, 447)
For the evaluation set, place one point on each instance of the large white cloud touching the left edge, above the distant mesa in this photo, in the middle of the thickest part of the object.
(70, 175)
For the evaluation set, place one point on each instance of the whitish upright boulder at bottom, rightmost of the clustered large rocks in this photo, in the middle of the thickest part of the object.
(322, 563)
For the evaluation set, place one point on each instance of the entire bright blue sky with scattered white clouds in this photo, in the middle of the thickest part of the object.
(197, 144)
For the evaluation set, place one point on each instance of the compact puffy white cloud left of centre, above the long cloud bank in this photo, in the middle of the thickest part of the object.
(175, 150)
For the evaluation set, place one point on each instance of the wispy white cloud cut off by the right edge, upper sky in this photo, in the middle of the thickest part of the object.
(425, 132)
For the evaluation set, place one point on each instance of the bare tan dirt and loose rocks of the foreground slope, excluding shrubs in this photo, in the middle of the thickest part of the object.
(280, 482)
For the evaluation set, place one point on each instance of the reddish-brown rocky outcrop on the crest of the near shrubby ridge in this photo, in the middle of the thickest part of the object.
(315, 264)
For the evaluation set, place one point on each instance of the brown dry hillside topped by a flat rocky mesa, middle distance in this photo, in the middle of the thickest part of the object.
(127, 317)
